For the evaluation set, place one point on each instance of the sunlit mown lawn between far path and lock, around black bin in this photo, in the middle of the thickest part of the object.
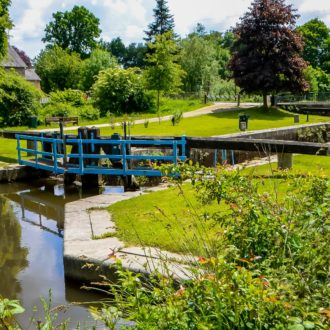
(219, 123)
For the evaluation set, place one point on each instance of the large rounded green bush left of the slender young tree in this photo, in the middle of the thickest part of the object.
(121, 91)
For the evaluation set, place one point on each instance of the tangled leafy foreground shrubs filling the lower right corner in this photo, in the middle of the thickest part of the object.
(267, 267)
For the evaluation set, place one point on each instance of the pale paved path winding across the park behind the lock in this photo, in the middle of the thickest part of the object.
(215, 108)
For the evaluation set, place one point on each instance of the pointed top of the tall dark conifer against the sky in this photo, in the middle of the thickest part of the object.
(163, 21)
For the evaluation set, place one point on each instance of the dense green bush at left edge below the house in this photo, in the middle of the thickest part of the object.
(19, 99)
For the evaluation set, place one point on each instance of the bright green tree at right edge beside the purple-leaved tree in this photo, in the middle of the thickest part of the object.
(316, 36)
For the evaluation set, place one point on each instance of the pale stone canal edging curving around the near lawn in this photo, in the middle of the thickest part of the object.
(88, 259)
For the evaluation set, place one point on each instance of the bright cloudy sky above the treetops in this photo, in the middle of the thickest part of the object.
(128, 19)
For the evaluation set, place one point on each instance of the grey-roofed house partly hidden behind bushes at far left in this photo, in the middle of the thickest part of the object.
(14, 61)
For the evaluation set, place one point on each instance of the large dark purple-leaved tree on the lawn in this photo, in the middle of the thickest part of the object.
(266, 53)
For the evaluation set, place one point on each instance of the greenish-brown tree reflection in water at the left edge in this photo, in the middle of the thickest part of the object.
(13, 257)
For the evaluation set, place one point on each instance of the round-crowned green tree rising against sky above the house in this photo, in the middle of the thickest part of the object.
(75, 30)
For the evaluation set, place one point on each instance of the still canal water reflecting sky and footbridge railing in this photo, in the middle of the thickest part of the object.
(31, 251)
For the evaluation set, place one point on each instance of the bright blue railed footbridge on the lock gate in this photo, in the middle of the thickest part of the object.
(55, 161)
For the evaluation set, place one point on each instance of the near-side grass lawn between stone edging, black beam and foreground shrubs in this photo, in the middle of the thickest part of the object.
(172, 221)
